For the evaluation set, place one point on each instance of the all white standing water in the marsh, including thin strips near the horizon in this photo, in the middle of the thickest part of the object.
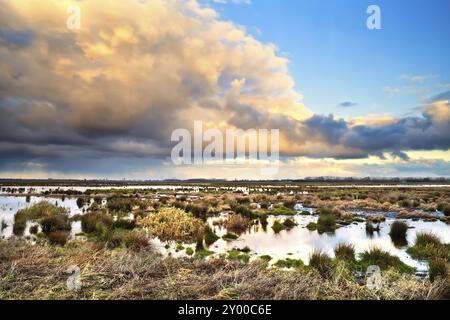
(297, 243)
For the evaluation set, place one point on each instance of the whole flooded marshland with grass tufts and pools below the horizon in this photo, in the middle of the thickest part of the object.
(307, 236)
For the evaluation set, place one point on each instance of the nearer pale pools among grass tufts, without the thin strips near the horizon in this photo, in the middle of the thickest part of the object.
(297, 243)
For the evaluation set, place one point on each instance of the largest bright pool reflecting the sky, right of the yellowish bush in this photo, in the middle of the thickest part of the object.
(299, 242)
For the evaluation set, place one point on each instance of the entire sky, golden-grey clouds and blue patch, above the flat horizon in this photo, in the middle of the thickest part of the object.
(102, 100)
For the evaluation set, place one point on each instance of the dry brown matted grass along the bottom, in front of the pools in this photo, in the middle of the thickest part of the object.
(38, 272)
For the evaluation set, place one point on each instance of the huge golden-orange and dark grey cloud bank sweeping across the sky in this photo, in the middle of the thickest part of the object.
(113, 91)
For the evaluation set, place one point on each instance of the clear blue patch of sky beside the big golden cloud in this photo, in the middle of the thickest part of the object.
(335, 58)
